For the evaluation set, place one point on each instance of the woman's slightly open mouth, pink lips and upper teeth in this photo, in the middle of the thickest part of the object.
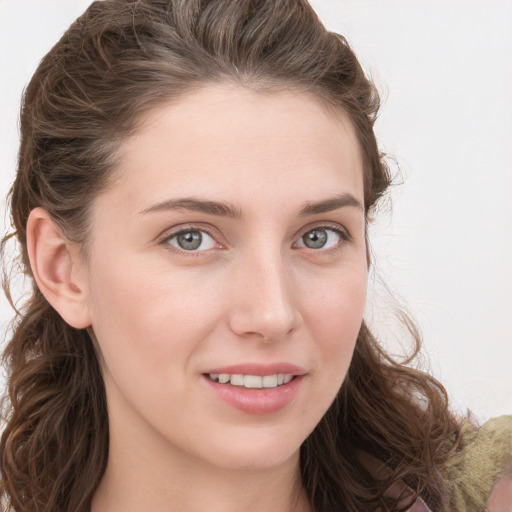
(256, 388)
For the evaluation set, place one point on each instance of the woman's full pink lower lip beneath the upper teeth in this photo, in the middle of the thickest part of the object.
(257, 401)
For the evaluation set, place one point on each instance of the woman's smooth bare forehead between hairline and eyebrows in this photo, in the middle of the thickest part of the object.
(229, 139)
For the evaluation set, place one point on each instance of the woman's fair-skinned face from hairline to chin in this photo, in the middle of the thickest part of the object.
(226, 258)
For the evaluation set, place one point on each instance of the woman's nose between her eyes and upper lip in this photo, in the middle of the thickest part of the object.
(263, 305)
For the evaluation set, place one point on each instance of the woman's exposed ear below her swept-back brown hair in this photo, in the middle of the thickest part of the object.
(57, 269)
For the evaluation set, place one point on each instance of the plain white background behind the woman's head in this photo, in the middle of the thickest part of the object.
(444, 69)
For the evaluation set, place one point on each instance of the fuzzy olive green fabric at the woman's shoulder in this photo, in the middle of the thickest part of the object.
(471, 473)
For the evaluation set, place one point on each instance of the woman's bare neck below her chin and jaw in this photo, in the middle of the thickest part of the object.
(147, 477)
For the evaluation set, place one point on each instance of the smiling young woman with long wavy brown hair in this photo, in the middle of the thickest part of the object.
(192, 198)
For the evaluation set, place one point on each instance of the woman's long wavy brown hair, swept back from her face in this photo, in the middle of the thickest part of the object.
(117, 61)
